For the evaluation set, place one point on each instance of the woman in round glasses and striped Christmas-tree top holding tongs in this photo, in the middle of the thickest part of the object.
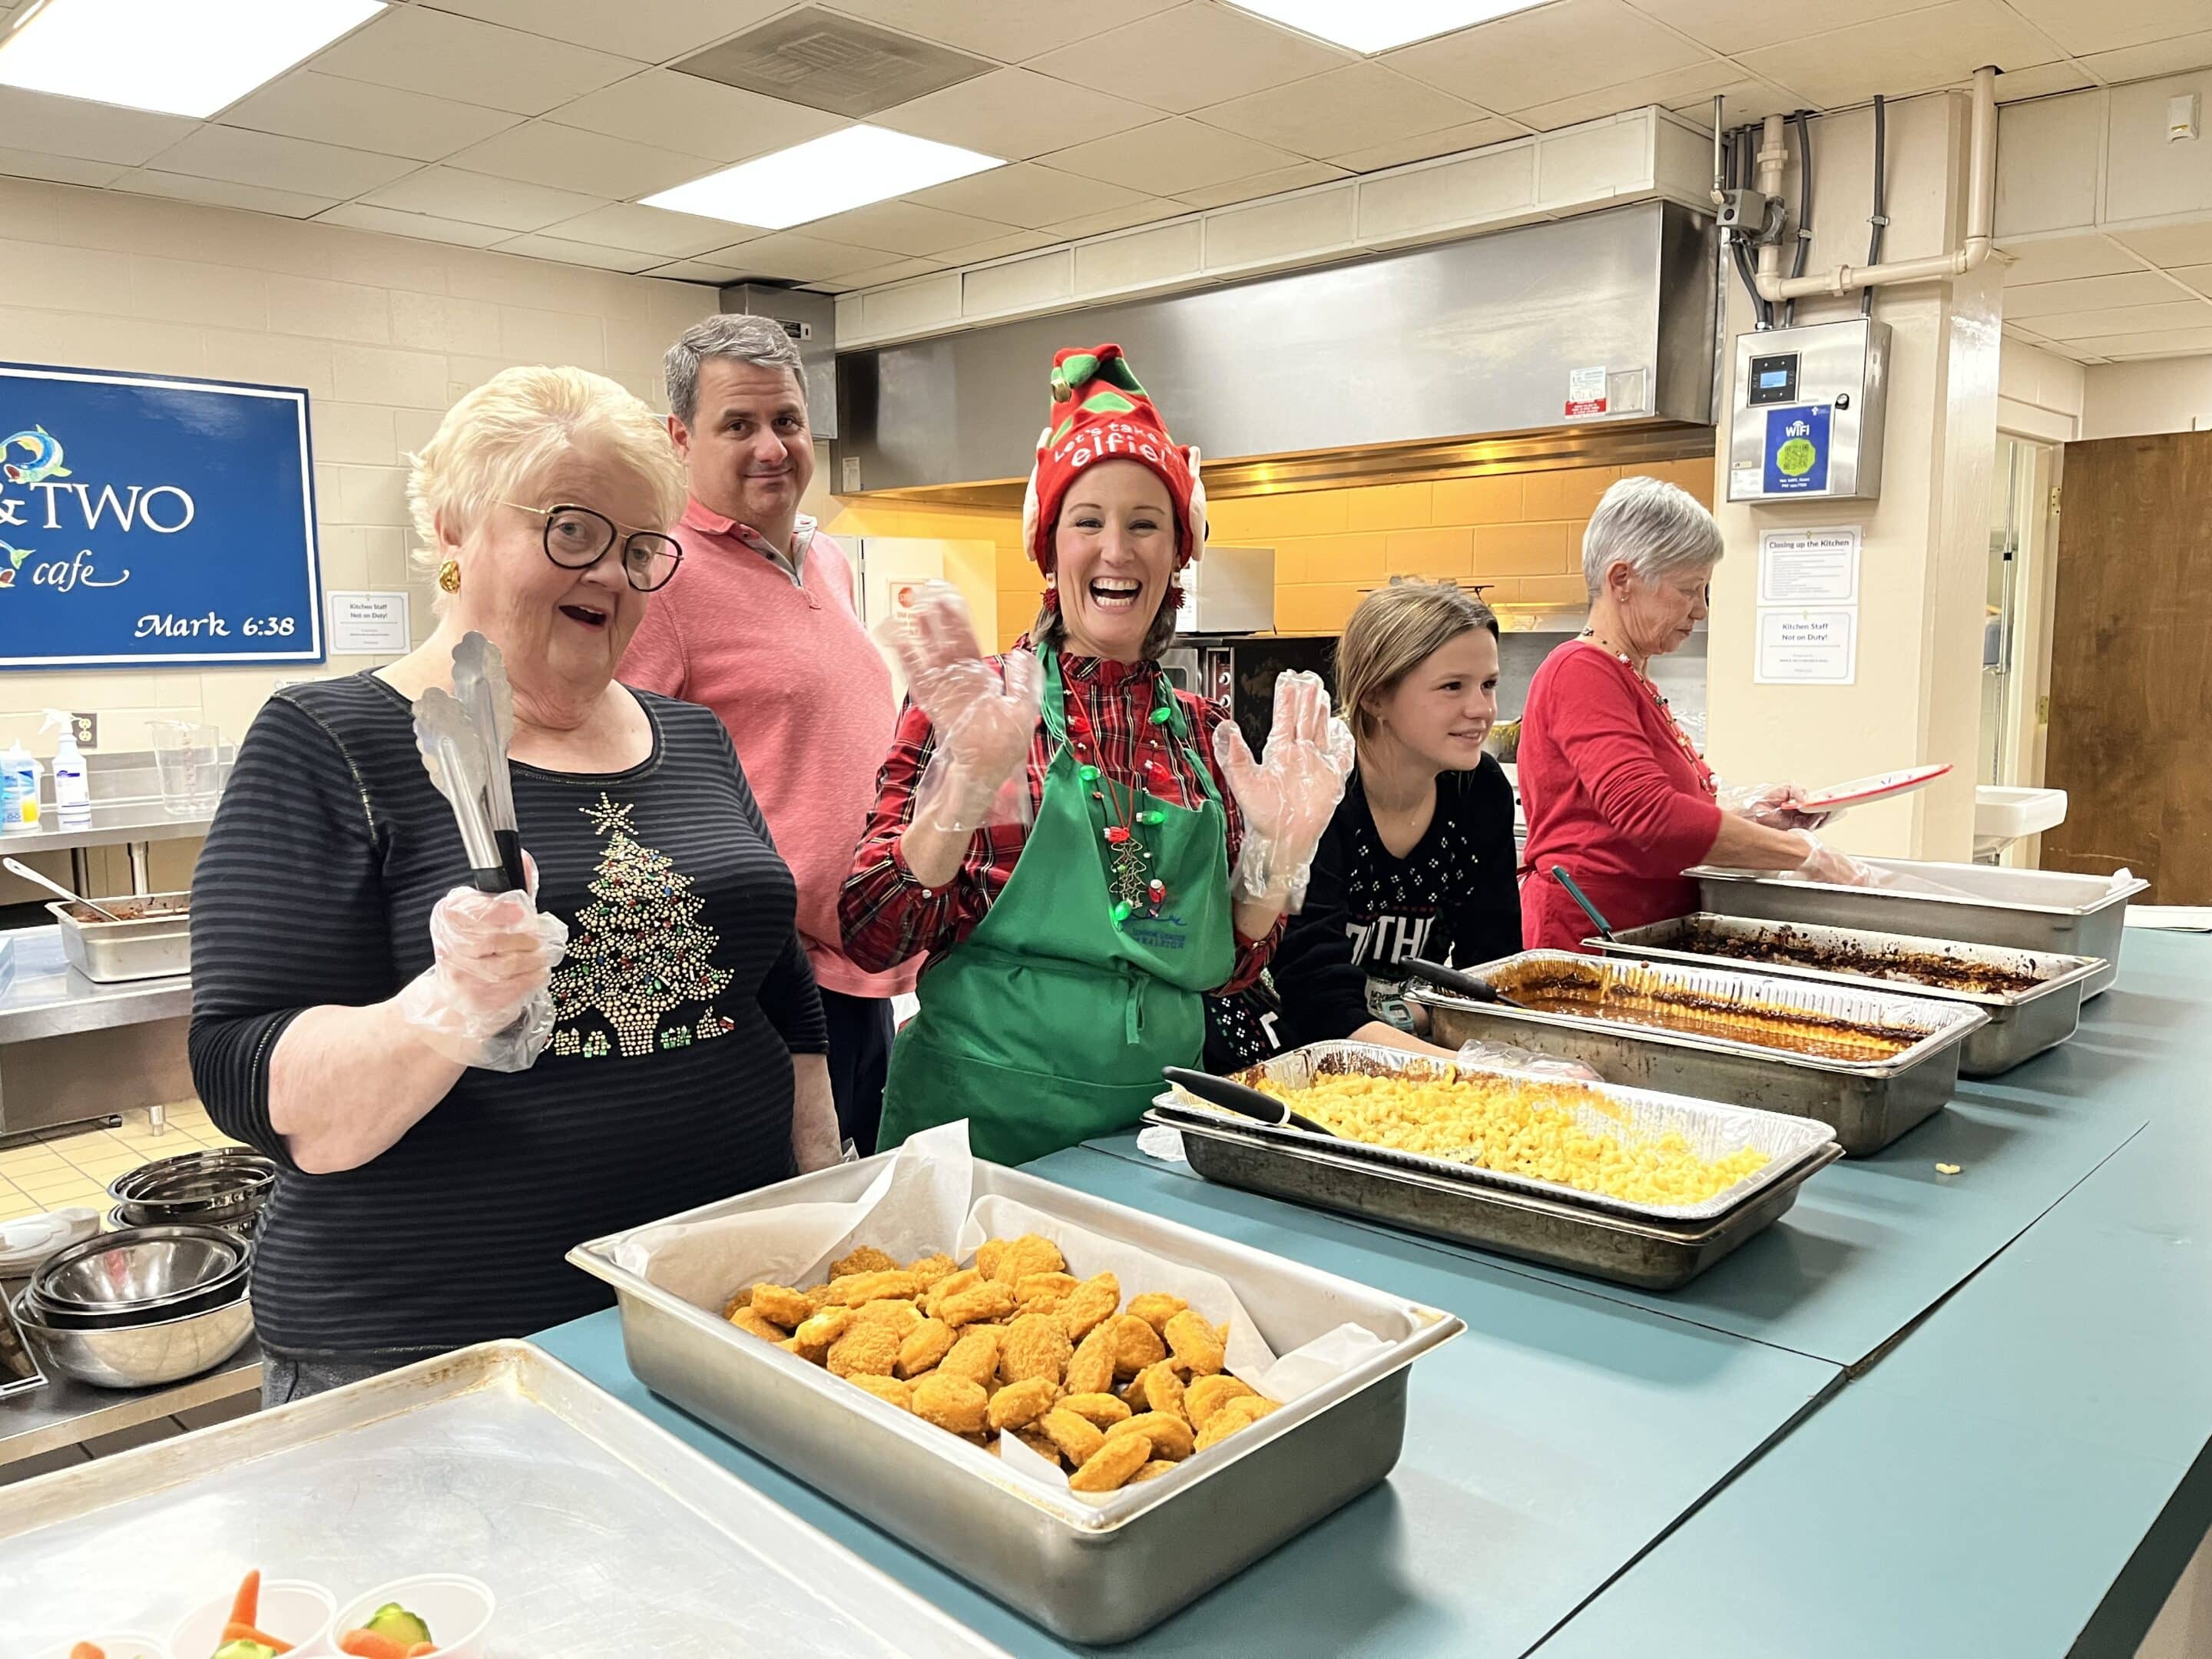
(459, 1087)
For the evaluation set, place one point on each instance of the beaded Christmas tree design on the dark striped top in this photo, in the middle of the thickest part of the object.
(638, 954)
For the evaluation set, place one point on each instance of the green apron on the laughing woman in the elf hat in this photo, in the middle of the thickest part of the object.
(1050, 1023)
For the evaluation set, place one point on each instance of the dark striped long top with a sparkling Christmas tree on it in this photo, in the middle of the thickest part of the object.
(669, 1081)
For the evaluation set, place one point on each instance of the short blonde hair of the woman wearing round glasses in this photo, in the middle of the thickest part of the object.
(519, 424)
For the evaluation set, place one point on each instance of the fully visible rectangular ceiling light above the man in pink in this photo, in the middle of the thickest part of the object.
(824, 176)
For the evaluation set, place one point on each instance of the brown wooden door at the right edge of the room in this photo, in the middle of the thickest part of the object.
(2131, 665)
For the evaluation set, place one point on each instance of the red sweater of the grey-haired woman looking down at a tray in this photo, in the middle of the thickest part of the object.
(1611, 793)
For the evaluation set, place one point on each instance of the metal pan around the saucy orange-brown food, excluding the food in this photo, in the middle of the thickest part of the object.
(1868, 1105)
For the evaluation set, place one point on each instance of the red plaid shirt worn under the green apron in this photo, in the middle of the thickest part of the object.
(890, 917)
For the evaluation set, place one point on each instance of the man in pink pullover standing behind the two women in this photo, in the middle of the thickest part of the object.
(760, 627)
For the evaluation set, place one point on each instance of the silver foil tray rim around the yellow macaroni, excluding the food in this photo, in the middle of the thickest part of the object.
(1709, 1127)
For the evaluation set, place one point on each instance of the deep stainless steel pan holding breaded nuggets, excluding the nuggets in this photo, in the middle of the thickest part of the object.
(1087, 1569)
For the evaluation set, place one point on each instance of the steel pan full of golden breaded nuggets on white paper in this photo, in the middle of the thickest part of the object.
(1021, 1381)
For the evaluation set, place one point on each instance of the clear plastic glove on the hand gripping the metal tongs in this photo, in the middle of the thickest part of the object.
(488, 999)
